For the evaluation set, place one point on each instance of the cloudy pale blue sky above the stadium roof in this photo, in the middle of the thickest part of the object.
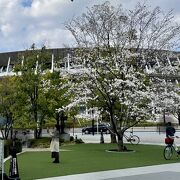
(23, 22)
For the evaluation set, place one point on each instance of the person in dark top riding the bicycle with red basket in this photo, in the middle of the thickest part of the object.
(170, 133)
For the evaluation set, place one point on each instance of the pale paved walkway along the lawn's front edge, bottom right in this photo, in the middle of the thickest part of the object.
(163, 172)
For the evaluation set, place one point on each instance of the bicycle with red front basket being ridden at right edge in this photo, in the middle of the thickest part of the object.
(169, 148)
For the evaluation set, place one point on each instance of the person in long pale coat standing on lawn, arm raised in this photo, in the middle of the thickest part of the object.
(54, 145)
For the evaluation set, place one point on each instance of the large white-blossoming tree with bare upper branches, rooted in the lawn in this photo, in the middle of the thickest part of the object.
(114, 45)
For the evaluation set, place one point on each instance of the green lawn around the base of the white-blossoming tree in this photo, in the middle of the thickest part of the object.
(85, 158)
